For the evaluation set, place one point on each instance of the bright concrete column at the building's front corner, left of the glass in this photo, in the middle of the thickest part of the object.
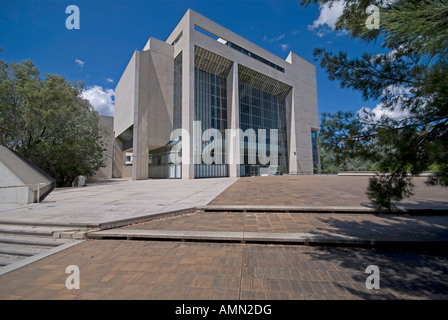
(187, 112)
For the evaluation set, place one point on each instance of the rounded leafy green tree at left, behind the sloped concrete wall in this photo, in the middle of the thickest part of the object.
(48, 122)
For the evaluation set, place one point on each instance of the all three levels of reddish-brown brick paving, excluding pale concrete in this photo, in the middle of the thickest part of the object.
(124, 269)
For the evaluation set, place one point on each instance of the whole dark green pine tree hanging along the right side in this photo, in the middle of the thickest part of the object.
(411, 79)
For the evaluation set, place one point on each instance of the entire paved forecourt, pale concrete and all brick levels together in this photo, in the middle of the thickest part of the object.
(413, 257)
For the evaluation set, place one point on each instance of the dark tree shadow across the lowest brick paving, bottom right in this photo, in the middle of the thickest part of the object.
(404, 274)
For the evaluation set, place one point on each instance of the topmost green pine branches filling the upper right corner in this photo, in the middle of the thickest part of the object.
(416, 25)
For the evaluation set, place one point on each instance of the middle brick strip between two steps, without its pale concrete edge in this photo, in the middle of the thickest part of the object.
(363, 226)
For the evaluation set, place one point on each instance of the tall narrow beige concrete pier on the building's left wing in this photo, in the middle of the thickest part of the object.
(141, 117)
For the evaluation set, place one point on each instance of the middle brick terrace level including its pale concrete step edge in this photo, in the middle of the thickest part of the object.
(299, 228)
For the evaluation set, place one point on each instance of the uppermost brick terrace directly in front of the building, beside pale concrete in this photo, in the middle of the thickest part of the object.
(322, 190)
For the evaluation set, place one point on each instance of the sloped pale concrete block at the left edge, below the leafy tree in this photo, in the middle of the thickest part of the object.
(21, 182)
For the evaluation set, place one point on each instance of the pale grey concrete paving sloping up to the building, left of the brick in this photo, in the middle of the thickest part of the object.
(117, 201)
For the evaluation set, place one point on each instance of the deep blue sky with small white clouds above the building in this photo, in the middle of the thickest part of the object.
(110, 31)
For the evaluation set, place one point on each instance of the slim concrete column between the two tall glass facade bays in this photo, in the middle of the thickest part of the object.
(233, 111)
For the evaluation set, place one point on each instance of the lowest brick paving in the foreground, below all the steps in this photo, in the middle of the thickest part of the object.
(113, 269)
